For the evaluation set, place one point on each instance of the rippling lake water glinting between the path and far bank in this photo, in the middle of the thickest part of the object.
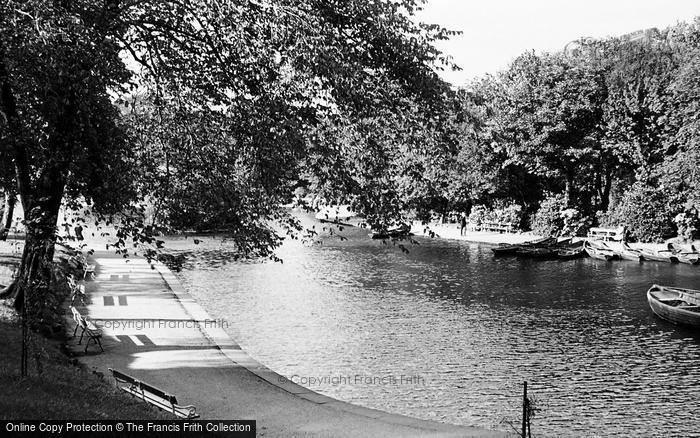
(448, 332)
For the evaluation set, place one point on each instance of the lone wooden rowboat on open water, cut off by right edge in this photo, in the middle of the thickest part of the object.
(677, 305)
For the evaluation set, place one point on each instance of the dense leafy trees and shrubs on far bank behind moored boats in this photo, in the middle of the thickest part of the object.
(559, 133)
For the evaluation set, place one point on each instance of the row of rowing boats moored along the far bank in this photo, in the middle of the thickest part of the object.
(550, 248)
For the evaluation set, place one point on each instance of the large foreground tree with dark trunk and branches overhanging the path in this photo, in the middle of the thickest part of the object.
(208, 113)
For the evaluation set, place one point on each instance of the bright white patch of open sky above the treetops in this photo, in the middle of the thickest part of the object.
(496, 31)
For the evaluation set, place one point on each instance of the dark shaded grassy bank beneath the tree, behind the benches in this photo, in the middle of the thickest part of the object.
(64, 390)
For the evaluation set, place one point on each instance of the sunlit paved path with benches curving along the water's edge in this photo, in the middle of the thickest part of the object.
(150, 331)
